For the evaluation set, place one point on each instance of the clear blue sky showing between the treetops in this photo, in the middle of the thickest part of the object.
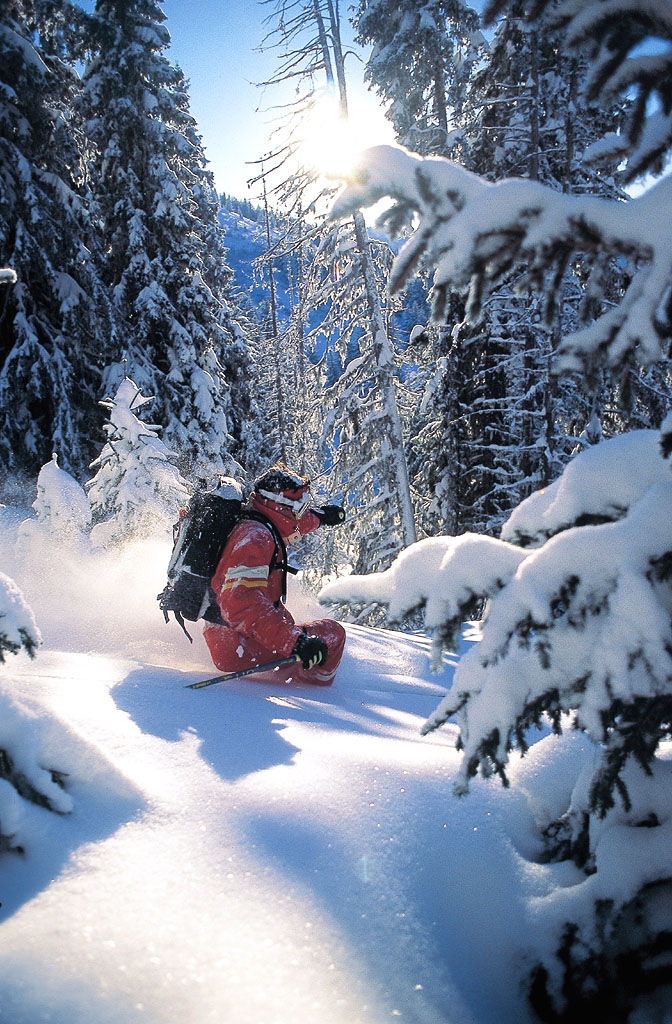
(216, 44)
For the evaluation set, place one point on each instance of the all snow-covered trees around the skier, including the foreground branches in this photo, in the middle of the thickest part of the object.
(482, 378)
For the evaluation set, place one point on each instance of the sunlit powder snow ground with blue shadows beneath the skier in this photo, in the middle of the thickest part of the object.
(247, 855)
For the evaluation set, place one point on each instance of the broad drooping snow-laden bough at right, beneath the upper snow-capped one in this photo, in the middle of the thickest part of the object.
(580, 627)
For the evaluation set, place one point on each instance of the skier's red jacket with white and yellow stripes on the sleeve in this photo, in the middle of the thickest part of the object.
(250, 580)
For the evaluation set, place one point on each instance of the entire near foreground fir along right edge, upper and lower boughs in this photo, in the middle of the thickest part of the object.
(578, 591)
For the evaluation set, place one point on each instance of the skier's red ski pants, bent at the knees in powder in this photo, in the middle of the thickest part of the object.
(233, 653)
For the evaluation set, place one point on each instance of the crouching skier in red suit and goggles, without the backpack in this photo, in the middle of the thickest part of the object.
(250, 582)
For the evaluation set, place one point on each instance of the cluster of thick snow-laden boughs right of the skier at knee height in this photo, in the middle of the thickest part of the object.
(580, 624)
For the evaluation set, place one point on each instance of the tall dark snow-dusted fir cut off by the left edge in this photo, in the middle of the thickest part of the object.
(56, 320)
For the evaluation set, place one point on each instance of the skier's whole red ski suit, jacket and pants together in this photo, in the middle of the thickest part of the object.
(248, 585)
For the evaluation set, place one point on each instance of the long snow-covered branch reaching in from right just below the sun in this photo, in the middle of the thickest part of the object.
(474, 233)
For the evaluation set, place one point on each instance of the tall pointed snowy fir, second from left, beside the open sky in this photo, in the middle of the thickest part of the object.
(157, 209)
